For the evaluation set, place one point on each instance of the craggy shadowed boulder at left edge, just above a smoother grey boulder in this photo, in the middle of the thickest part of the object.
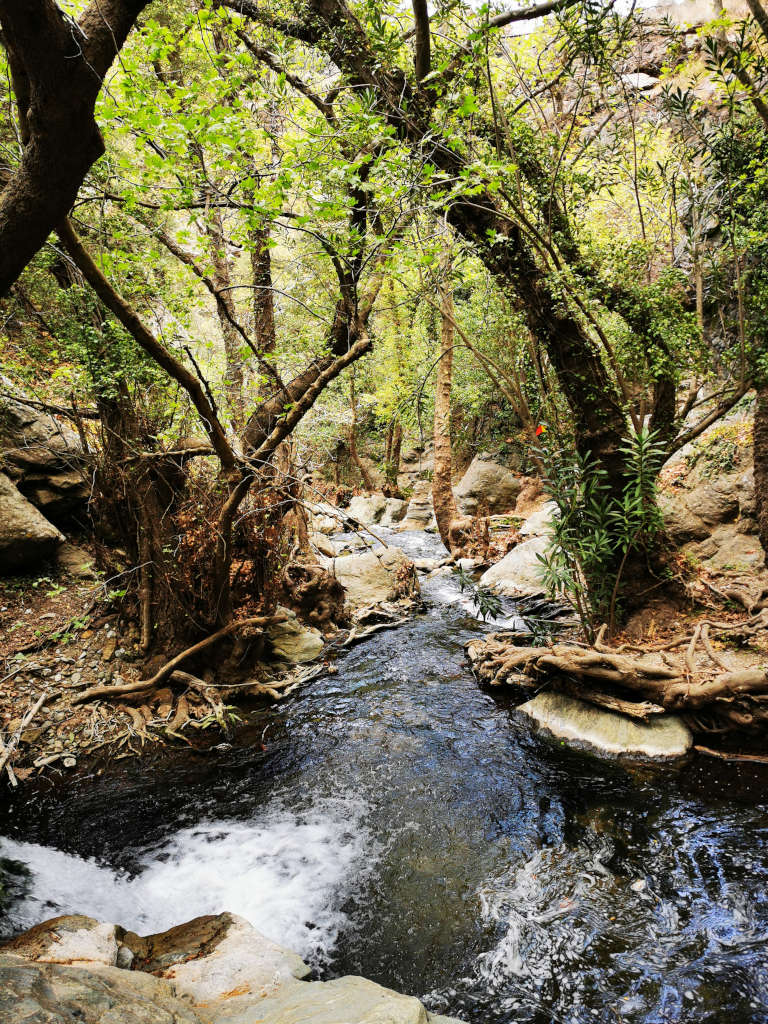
(46, 460)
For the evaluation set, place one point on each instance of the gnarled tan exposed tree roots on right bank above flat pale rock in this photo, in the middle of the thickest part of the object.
(685, 676)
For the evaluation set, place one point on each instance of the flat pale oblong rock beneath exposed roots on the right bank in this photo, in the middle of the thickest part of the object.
(608, 733)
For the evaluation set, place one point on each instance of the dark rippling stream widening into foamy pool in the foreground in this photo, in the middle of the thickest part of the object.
(395, 821)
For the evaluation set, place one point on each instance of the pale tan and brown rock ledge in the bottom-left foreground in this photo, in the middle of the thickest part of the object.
(215, 970)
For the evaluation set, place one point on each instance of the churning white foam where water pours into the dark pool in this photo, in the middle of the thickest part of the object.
(287, 873)
